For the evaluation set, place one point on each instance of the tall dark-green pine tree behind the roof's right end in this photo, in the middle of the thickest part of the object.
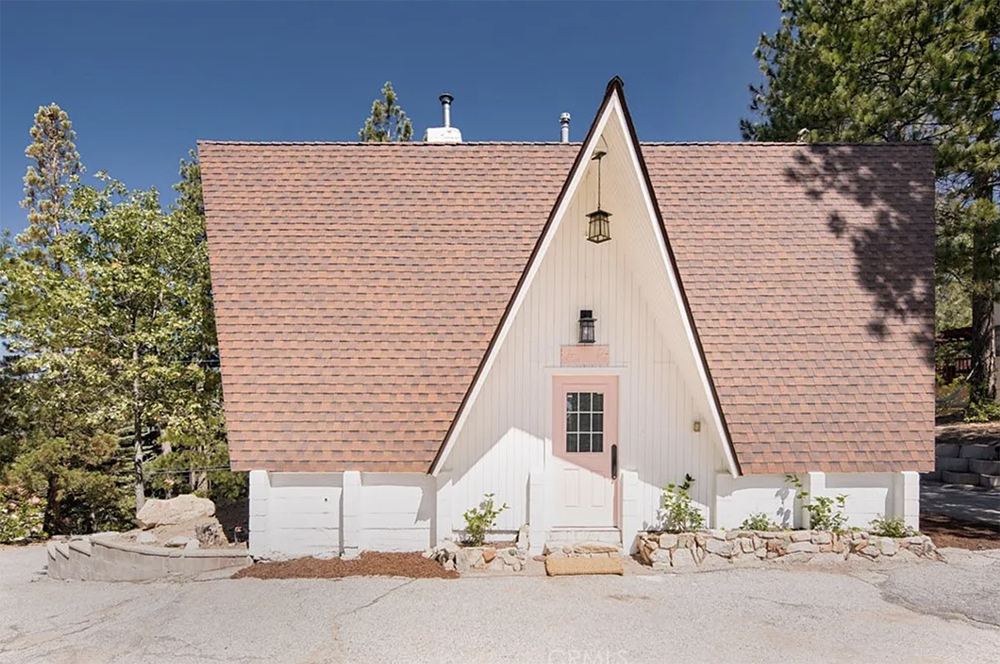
(903, 70)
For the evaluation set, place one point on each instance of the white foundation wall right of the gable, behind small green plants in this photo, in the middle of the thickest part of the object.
(869, 496)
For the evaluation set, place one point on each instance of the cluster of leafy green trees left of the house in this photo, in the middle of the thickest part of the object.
(112, 347)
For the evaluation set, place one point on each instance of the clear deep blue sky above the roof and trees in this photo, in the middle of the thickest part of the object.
(143, 81)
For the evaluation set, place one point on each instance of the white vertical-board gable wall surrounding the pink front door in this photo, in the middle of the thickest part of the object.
(508, 431)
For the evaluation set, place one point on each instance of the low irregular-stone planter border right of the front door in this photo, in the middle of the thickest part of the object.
(711, 547)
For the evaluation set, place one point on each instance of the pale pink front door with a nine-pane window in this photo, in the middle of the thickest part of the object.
(584, 442)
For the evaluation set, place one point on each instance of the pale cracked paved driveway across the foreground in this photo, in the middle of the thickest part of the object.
(927, 612)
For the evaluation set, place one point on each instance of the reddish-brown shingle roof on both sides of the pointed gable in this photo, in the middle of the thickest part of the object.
(357, 288)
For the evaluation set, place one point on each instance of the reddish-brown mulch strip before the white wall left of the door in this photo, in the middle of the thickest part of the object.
(369, 563)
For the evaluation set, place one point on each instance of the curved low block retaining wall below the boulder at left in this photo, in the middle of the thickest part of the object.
(104, 558)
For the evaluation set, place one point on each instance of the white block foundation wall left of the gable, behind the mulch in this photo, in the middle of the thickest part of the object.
(308, 514)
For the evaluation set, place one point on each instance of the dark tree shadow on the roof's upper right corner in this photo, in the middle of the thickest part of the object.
(881, 200)
